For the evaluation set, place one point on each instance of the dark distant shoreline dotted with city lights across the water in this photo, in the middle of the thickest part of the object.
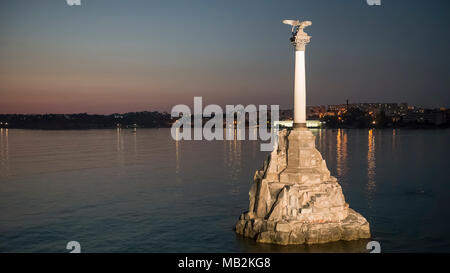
(353, 118)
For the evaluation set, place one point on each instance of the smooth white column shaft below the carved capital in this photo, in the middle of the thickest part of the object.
(300, 89)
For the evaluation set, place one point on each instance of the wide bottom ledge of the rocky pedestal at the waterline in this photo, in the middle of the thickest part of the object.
(353, 227)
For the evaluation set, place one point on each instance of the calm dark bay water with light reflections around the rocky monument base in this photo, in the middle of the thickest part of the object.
(115, 191)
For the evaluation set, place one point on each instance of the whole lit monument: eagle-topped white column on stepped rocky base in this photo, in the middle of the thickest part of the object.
(293, 198)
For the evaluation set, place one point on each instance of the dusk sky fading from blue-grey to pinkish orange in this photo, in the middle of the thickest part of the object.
(116, 56)
